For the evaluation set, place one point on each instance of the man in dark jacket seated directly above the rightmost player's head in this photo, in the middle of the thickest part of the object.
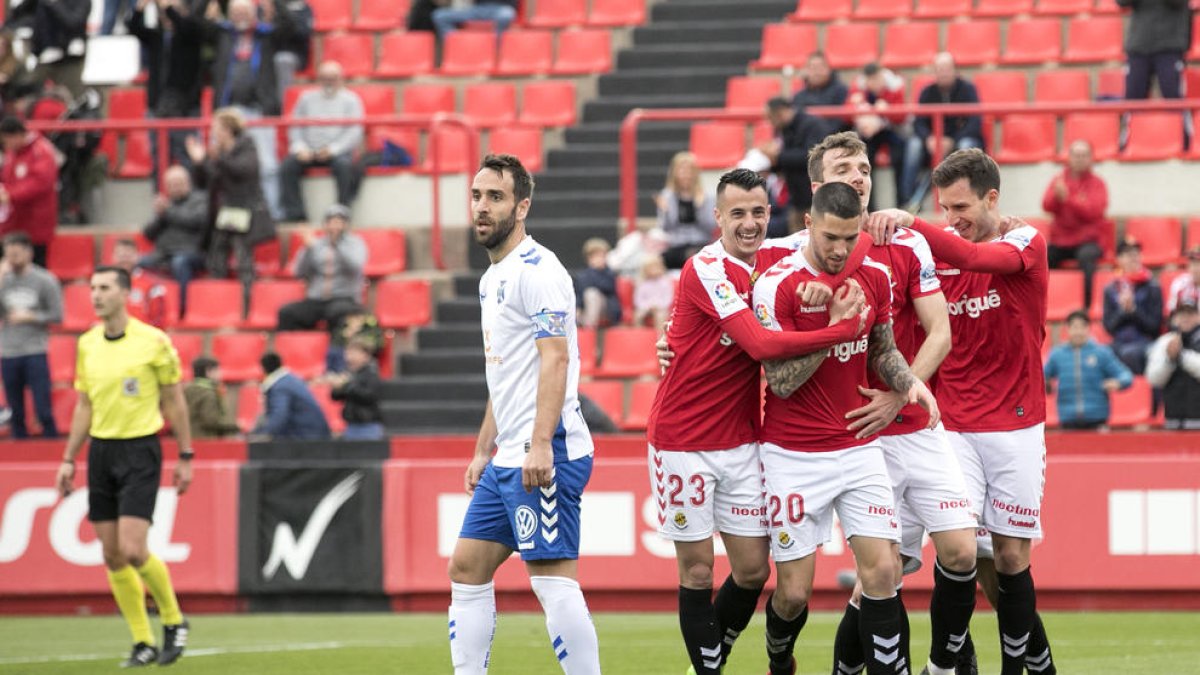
(961, 132)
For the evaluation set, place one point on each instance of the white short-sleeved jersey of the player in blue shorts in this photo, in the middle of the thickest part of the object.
(527, 297)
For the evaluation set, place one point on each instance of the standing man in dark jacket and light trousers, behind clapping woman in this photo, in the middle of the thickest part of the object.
(244, 77)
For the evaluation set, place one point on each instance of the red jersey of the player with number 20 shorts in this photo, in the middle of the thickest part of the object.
(813, 419)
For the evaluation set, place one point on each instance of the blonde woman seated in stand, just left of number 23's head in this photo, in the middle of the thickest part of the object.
(686, 211)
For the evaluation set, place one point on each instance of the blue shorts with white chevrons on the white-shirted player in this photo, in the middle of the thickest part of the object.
(543, 524)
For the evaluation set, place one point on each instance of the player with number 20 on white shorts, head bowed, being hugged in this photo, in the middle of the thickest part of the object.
(813, 464)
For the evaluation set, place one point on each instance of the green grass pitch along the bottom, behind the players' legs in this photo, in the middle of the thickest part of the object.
(643, 644)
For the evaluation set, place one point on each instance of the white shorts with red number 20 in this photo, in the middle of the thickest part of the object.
(805, 489)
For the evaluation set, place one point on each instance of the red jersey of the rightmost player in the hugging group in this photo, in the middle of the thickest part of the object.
(993, 380)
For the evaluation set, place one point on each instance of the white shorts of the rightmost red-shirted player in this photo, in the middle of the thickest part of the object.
(1006, 475)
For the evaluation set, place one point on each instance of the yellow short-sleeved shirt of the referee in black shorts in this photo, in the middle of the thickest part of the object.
(122, 378)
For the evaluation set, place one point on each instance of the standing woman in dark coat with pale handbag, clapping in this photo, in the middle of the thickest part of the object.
(230, 171)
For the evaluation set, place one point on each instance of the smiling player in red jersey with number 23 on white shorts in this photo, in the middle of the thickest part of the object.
(705, 422)
